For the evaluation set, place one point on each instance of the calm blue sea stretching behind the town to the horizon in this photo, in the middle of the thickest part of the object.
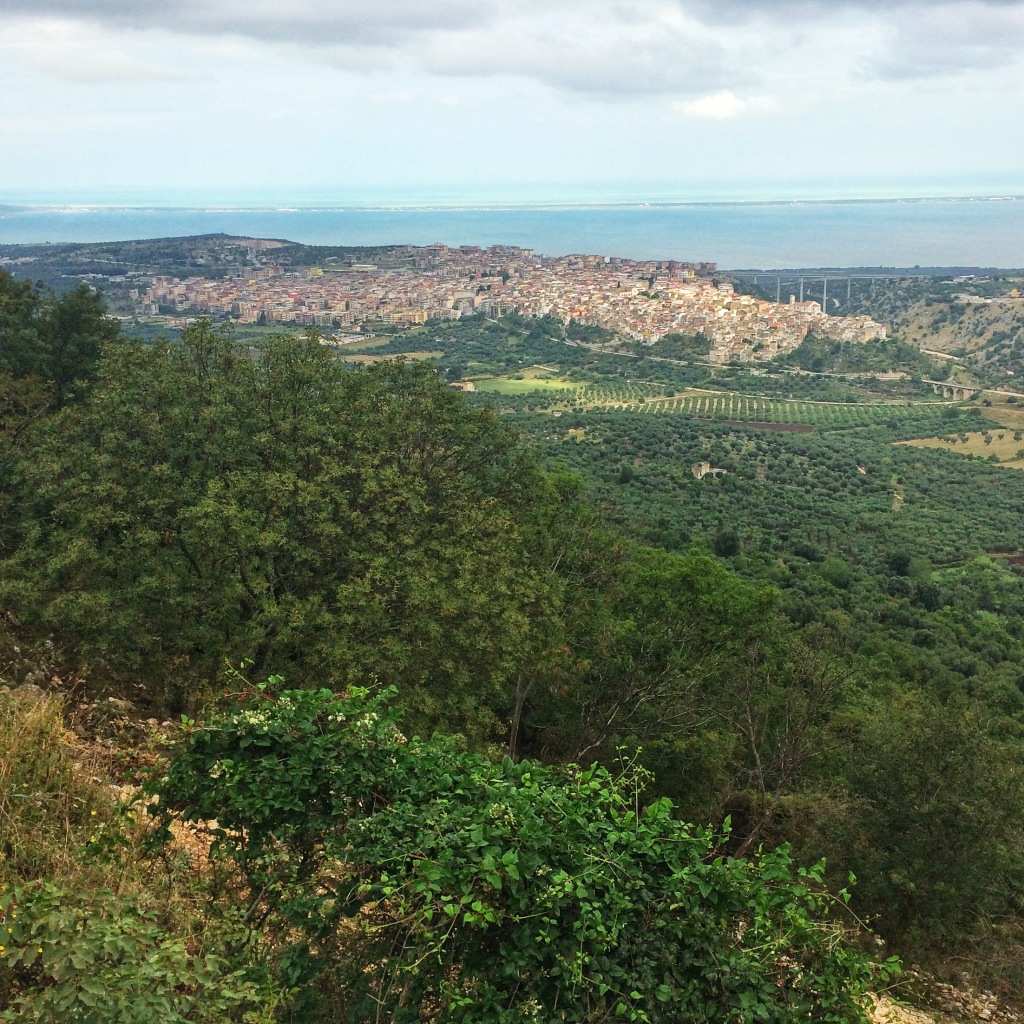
(975, 232)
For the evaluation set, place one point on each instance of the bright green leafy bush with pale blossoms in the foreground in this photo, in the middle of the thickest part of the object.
(416, 882)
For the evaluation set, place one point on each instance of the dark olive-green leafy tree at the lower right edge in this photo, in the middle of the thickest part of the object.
(937, 850)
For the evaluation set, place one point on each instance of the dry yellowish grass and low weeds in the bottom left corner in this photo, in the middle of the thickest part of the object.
(92, 931)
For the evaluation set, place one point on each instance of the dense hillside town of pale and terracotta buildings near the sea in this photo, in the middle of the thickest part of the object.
(641, 301)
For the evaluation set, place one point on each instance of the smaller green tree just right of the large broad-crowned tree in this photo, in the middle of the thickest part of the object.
(644, 649)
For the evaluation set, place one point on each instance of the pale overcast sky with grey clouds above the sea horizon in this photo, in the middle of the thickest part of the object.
(311, 100)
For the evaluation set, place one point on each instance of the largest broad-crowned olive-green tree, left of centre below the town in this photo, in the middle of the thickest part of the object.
(205, 505)
